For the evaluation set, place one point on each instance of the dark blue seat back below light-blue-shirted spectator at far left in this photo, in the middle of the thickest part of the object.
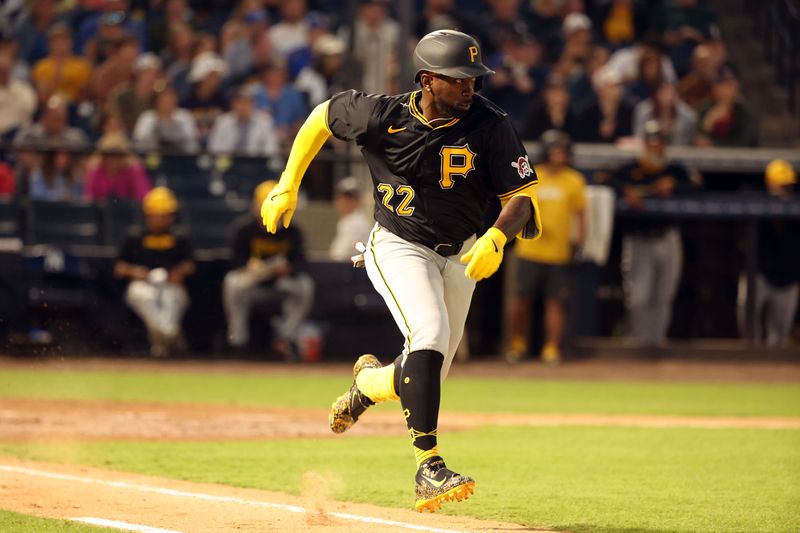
(63, 223)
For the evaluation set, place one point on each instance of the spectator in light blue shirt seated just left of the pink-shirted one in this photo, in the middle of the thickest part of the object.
(57, 178)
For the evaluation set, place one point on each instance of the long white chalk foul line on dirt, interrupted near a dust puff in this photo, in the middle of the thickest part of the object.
(214, 498)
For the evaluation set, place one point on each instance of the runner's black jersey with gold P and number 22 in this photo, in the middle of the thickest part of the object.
(432, 181)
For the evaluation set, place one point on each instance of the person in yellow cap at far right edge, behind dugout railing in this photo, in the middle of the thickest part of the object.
(777, 283)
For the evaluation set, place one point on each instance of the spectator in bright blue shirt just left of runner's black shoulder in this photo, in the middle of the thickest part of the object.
(282, 101)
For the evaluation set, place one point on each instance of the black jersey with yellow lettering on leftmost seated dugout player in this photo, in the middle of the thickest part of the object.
(155, 250)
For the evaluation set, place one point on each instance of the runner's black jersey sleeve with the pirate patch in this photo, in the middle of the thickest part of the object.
(510, 168)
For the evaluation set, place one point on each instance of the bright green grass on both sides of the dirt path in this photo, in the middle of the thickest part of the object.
(579, 479)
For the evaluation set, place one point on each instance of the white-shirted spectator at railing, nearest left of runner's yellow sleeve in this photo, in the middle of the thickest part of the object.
(243, 130)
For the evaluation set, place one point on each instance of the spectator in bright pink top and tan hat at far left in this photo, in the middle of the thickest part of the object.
(114, 172)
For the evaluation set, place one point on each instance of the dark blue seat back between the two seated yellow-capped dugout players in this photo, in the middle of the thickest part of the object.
(211, 221)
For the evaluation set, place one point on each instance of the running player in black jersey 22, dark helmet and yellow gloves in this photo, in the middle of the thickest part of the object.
(436, 156)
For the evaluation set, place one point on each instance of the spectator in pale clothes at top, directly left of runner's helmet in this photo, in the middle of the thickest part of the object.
(376, 40)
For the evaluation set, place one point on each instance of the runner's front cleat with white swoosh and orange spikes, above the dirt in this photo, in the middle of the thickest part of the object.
(436, 484)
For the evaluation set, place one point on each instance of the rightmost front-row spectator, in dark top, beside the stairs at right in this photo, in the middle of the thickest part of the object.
(724, 120)
